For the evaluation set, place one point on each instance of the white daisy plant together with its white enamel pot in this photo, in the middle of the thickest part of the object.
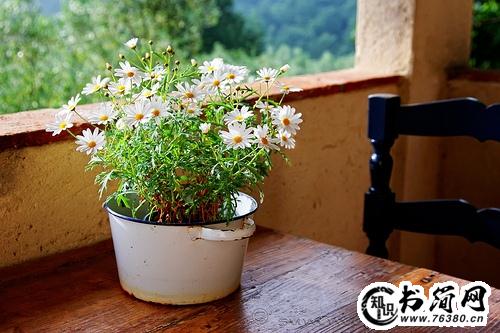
(181, 142)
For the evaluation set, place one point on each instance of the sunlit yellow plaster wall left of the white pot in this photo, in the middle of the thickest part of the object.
(47, 203)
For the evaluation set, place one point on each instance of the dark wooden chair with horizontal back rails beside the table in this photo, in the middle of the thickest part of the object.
(382, 214)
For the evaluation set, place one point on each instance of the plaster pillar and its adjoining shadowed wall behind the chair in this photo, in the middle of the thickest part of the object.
(439, 39)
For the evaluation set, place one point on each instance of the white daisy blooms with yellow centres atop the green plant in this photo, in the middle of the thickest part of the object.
(139, 96)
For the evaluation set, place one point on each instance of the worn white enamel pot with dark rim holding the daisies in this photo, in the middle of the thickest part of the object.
(181, 263)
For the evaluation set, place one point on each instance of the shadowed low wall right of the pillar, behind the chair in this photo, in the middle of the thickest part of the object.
(471, 170)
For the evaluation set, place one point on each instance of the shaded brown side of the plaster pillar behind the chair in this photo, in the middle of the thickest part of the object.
(441, 40)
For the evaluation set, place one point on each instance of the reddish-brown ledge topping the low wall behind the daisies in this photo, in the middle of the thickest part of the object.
(27, 128)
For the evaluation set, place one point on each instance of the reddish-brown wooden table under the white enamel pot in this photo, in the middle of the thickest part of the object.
(289, 284)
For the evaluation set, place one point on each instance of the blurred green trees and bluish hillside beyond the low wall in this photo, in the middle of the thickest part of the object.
(45, 59)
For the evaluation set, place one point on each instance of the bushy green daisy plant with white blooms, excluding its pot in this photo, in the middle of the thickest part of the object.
(183, 137)
